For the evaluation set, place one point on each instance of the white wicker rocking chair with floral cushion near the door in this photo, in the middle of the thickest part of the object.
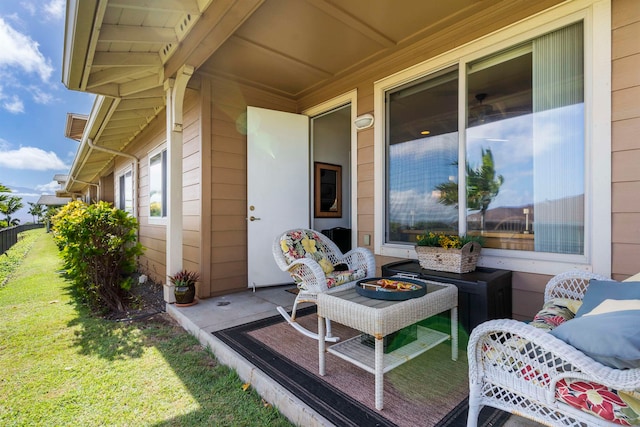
(311, 278)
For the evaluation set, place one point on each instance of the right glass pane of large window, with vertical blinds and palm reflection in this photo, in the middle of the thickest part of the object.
(530, 118)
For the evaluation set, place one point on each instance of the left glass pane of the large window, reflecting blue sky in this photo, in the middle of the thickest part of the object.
(423, 151)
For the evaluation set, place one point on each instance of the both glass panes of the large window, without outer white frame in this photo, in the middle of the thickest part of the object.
(523, 182)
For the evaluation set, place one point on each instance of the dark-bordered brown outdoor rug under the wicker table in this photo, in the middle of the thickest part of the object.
(430, 390)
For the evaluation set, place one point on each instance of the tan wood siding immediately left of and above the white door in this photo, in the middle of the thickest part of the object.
(228, 237)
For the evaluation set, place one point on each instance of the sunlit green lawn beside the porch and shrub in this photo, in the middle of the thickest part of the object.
(61, 366)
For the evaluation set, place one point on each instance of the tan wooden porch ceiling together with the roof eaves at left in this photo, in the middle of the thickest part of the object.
(125, 49)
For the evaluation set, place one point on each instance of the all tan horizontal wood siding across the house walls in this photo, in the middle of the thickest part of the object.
(216, 142)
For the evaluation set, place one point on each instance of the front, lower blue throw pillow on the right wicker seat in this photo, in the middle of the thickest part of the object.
(612, 339)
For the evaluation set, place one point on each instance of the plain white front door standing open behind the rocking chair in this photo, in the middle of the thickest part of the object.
(277, 187)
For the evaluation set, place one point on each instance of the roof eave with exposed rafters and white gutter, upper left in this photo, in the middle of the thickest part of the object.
(120, 50)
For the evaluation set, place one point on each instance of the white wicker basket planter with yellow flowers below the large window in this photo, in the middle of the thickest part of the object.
(448, 252)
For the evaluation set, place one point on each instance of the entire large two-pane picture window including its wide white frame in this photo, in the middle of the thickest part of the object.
(508, 137)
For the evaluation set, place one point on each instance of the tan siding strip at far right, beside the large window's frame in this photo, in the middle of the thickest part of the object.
(625, 185)
